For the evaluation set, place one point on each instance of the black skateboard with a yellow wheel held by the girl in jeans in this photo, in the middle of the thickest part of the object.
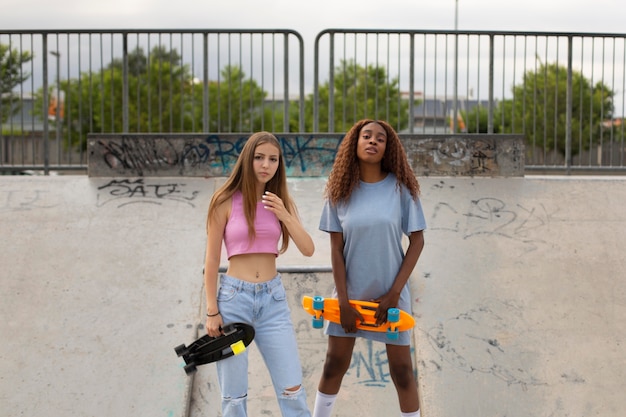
(207, 349)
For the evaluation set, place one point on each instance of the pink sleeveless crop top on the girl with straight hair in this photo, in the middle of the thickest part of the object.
(266, 225)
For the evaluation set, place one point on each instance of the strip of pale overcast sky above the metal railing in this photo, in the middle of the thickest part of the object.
(309, 17)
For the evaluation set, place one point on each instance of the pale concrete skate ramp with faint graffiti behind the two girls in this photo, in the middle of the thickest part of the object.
(519, 298)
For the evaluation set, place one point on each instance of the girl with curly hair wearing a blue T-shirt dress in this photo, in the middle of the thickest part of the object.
(372, 199)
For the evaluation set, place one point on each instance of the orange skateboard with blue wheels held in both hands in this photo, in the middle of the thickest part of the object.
(328, 308)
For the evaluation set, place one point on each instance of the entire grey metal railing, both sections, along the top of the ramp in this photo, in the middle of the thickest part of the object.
(563, 91)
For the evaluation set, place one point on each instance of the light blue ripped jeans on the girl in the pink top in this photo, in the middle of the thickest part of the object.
(264, 306)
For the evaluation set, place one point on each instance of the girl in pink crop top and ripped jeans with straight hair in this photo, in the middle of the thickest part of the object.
(250, 213)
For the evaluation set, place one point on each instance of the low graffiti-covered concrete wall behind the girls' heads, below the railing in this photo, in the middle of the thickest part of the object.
(306, 155)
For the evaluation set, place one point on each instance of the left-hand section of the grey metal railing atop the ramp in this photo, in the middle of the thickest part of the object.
(147, 81)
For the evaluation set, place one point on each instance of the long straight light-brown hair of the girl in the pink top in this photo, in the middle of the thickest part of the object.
(242, 178)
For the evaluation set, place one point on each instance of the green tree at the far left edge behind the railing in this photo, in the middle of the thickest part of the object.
(11, 75)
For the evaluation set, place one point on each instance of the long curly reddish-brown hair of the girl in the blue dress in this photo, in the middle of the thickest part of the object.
(344, 175)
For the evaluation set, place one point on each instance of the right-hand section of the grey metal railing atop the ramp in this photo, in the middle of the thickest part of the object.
(563, 91)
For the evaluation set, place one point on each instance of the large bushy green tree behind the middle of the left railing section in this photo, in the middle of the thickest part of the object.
(159, 93)
